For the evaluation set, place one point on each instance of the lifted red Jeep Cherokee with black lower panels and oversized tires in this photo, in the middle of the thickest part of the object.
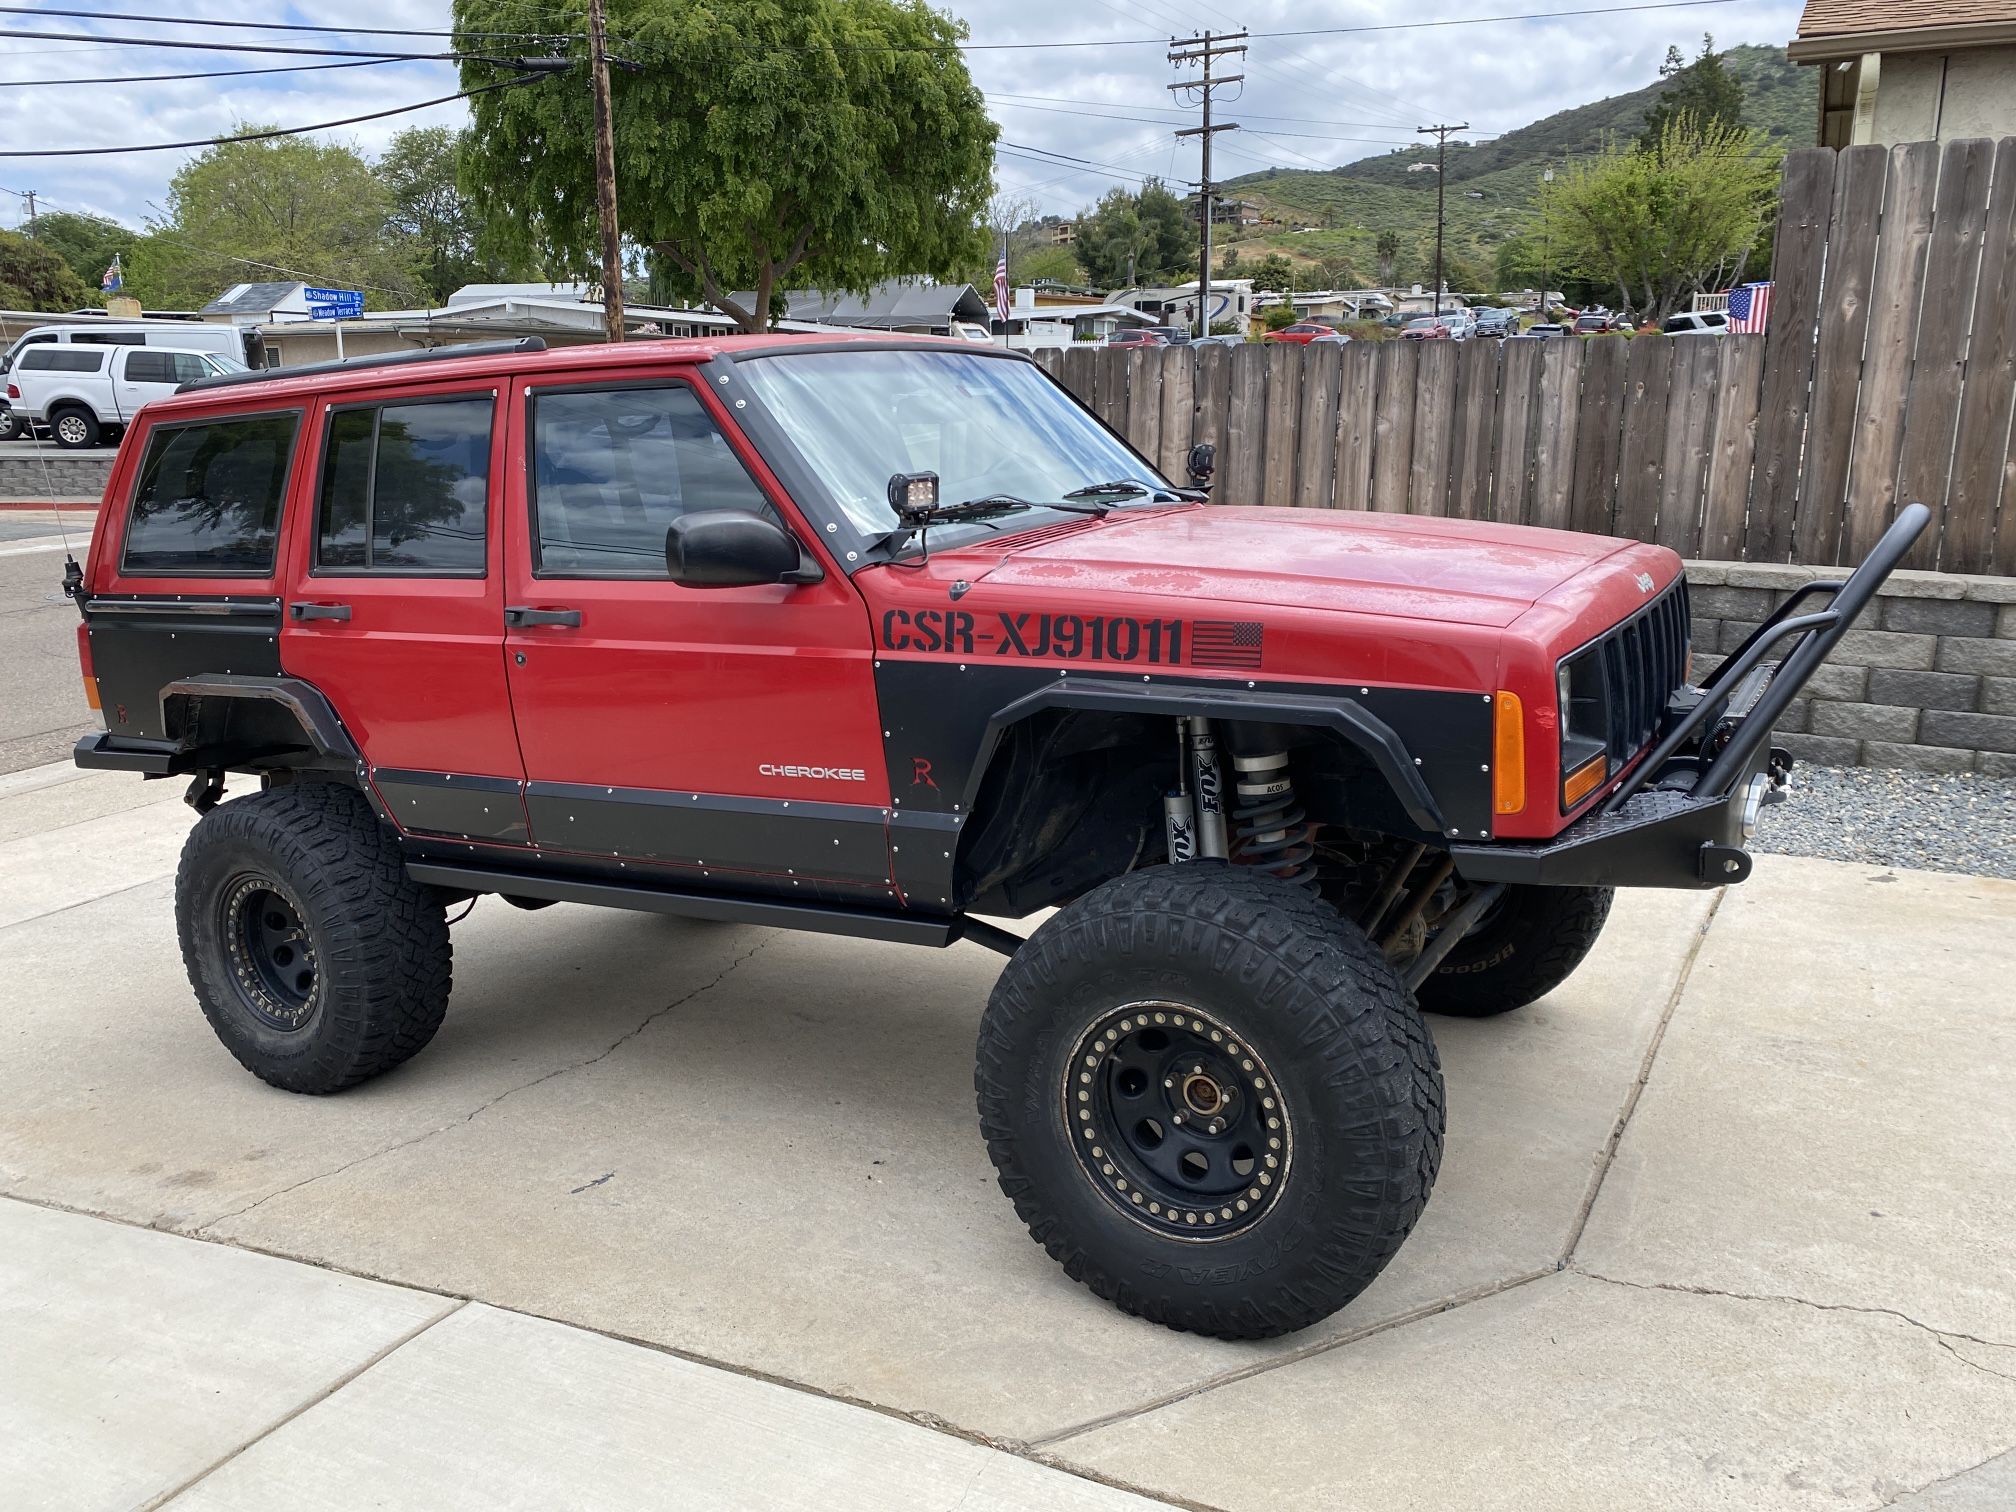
(884, 636)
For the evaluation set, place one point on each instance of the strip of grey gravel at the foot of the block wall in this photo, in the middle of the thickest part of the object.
(1896, 820)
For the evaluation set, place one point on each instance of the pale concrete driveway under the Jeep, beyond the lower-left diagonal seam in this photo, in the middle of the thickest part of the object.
(1727, 1223)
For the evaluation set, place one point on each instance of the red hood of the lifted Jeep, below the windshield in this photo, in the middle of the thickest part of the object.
(1392, 565)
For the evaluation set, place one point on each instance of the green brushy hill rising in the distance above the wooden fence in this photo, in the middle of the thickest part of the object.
(1338, 217)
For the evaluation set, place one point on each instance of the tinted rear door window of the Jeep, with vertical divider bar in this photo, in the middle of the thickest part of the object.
(406, 489)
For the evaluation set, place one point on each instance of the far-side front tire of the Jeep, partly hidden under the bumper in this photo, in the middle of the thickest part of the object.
(1523, 951)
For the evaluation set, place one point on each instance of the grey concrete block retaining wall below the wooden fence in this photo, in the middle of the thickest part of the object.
(1926, 682)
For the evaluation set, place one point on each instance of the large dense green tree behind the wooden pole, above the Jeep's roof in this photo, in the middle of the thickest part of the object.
(828, 142)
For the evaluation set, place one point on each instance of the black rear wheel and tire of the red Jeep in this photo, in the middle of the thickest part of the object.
(316, 959)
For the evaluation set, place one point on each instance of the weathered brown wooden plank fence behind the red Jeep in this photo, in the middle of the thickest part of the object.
(1888, 376)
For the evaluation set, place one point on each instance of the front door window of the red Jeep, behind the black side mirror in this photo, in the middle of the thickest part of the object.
(614, 469)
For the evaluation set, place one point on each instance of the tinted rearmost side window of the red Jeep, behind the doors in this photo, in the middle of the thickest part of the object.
(209, 497)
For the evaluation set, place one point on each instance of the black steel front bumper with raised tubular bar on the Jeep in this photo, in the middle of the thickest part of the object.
(1690, 805)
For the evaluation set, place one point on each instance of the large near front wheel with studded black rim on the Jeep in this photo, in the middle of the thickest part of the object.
(1211, 1100)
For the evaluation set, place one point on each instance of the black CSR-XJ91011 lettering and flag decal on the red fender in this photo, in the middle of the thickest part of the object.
(1229, 644)
